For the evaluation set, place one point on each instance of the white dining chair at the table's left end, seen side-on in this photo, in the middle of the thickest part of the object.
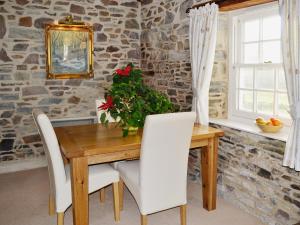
(60, 197)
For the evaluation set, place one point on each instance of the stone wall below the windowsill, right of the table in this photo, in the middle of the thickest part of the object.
(251, 176)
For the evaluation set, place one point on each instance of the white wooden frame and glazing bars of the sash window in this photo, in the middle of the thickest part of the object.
(235, 59)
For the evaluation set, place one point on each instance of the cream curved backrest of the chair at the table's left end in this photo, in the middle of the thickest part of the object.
(56, 167)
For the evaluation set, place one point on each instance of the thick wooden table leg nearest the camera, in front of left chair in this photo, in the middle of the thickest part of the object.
(79, 182)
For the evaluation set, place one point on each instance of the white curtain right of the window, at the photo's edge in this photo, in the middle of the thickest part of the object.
(290, 11)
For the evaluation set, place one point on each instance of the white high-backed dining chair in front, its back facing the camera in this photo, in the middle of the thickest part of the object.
(158, 180)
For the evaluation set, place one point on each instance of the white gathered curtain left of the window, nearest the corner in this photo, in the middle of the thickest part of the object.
(203, 36)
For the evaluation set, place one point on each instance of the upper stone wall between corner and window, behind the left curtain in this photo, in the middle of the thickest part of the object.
(166, 55)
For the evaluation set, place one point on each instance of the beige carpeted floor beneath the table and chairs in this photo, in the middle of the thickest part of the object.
(24, 201)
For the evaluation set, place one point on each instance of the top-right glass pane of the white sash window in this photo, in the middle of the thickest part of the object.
(271, 27)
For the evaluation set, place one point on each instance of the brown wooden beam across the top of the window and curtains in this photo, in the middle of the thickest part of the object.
(228, 5)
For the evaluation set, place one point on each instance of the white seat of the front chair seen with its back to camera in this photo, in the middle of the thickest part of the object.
(129, 172)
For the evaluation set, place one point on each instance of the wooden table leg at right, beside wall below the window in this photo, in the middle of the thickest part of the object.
(209, 157)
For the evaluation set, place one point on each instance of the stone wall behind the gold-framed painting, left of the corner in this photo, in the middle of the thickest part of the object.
(23, 83)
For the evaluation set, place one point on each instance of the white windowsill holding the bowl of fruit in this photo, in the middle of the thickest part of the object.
(282, 135)
